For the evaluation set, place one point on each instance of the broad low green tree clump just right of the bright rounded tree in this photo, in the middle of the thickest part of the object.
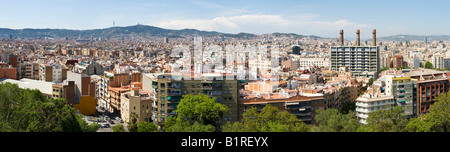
(270, 119)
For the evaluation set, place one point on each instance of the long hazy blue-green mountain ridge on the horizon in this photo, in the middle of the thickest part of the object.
(134, 30)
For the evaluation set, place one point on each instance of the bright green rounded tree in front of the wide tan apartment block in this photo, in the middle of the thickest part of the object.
(199, 112)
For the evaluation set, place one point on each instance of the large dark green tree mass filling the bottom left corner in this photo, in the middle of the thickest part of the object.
(25, 110)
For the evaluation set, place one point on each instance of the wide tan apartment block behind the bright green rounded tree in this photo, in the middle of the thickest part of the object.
(169, 91)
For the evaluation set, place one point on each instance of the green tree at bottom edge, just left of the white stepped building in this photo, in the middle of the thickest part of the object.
(331, 120)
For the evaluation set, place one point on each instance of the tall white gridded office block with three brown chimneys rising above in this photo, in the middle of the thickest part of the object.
(360, 60)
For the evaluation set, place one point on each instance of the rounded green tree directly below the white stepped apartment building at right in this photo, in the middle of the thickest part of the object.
(387, 120)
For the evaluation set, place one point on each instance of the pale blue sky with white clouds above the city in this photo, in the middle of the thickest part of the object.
(305, 17)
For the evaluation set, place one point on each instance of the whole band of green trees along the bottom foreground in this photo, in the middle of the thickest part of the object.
(25, 110)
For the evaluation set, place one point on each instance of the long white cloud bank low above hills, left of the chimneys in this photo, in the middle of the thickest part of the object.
(308, 24)
